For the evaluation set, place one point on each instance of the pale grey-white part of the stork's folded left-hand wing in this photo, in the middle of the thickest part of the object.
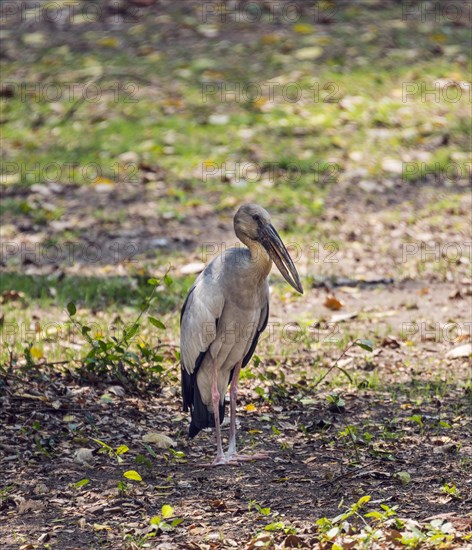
(200, 314)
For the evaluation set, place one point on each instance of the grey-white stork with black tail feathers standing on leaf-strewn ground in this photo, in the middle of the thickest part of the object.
(224, 314)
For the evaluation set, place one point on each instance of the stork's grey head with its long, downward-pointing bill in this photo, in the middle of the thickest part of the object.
(252, 224)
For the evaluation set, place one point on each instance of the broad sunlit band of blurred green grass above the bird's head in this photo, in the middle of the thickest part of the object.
(167, 122)
